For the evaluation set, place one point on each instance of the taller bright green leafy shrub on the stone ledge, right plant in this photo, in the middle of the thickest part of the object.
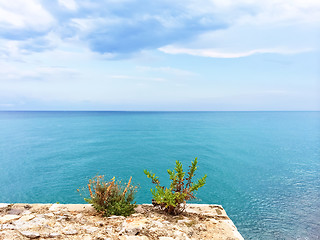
(173, 199)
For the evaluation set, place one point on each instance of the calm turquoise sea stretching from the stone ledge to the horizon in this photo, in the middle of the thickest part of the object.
(263, 167)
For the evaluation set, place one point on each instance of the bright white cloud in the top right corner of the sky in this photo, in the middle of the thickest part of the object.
(258, 12)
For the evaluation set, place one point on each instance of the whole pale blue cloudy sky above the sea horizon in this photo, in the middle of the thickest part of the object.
(190, 55)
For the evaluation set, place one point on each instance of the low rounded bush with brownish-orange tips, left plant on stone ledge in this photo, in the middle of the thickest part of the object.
(111, 198)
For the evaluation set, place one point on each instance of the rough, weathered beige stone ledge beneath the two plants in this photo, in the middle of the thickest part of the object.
(81, 221)
